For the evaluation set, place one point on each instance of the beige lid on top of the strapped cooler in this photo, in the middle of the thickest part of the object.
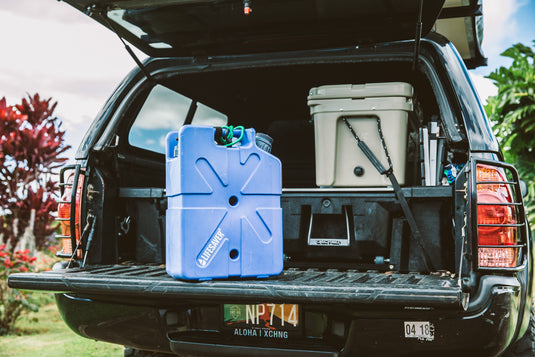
(358, 91)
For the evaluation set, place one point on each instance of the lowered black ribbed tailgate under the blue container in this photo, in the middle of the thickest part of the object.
(293, 285)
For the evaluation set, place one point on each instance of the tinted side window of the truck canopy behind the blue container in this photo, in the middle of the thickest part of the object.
(165, 110)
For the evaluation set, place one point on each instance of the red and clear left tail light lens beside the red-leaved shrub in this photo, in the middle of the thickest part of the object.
(64, 215)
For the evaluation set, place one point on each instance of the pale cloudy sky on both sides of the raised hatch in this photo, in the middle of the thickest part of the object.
(50, 48)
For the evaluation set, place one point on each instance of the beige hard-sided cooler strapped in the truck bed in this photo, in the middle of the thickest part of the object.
(337, 152)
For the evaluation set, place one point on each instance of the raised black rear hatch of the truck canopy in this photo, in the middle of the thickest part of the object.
(163, 28)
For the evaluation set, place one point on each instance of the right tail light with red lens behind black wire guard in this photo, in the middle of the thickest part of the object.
(499, 211)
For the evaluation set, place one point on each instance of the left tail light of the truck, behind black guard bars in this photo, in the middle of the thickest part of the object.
(69, 213)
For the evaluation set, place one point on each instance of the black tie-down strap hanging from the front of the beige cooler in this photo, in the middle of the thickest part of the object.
(416, 235)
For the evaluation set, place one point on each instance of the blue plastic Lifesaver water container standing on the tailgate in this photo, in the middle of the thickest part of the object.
(224, 216)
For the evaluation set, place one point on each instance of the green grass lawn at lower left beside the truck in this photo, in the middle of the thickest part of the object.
(44, 334)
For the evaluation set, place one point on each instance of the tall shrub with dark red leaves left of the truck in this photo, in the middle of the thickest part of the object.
(31, 143)
